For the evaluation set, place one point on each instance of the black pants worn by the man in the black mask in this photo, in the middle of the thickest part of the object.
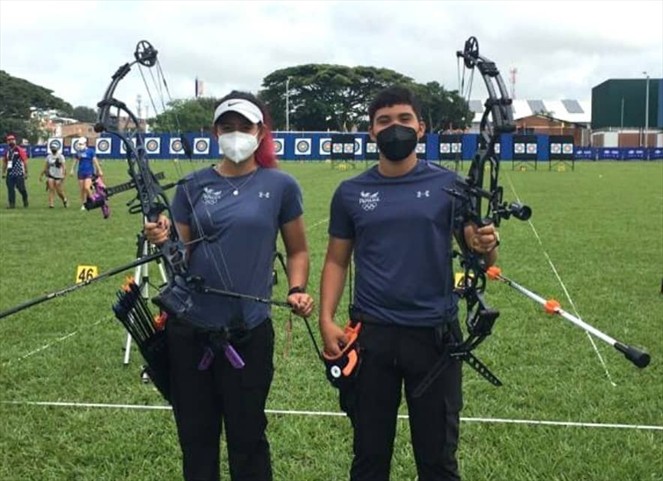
(391, 356)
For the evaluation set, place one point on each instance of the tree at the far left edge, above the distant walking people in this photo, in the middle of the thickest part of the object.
(18, 98)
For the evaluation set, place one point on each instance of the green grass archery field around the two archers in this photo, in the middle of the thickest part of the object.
(70, 410)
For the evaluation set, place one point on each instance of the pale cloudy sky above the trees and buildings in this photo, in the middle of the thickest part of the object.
(560, 49)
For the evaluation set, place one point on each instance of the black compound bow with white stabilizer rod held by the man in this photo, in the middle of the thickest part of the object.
(497, 119)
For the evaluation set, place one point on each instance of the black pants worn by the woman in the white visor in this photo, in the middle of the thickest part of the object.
(206, 400)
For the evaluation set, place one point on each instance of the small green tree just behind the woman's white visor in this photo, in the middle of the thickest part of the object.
(186, 115)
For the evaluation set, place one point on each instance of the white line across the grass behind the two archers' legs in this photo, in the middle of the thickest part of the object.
(528, 422)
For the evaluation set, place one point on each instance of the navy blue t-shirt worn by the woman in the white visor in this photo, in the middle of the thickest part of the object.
(243, 229)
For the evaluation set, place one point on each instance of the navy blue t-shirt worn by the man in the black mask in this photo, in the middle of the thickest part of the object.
(401, 228)
